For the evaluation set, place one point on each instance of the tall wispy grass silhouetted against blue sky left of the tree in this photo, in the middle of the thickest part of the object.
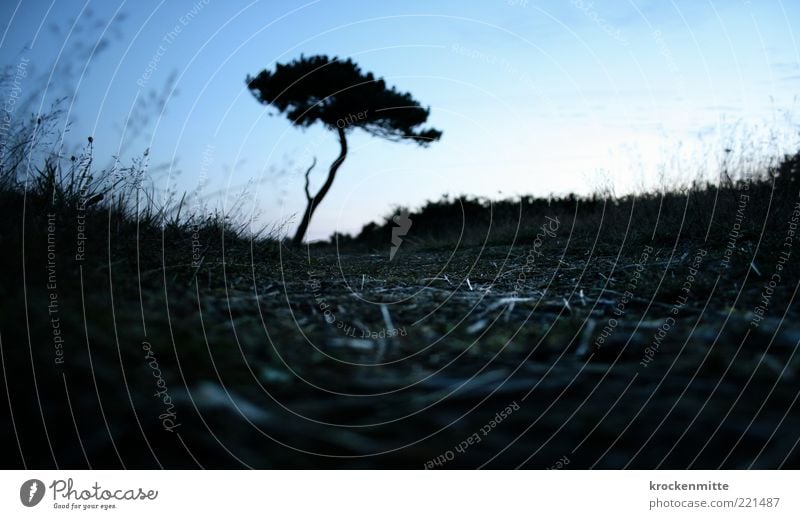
(118, 209)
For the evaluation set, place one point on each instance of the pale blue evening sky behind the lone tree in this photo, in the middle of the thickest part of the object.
(533, 97)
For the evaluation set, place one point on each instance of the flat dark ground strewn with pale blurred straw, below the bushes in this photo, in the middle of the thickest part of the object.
(556, 352)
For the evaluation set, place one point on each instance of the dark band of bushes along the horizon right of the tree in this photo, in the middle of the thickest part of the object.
(698, 212)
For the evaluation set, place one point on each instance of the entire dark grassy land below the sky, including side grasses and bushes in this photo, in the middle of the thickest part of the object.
(187, 341)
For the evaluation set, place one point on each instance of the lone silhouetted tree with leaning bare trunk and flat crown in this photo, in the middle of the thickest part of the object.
(340, 96)
